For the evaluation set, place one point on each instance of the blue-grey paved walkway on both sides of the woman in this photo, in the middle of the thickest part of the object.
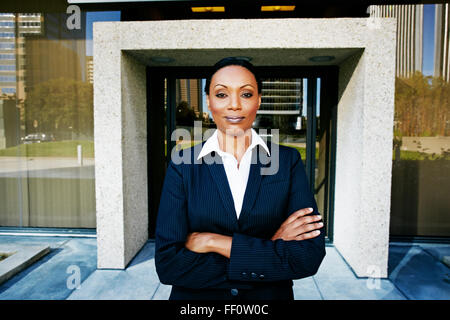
(415, 272)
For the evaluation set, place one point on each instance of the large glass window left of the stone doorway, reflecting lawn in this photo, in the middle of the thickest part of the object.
(46, 121)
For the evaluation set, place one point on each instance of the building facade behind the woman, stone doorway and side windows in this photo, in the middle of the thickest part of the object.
(51, 152)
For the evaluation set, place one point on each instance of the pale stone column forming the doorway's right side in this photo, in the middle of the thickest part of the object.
(364, 151)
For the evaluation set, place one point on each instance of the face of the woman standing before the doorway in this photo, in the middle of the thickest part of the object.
(233, 99)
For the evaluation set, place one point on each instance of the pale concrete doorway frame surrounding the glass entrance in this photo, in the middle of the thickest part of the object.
(365, 51)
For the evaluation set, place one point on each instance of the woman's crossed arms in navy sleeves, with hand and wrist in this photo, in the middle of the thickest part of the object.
(203, 259)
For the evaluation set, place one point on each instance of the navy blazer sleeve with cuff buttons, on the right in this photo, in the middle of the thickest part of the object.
(255, 259)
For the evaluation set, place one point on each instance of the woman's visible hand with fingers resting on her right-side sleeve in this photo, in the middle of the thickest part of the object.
(299, 226)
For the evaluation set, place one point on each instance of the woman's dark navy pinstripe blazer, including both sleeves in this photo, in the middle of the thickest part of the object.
(197, 198)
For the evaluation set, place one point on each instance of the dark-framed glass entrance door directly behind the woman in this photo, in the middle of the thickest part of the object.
(291, 105)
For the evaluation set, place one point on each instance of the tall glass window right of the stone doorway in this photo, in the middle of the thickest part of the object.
(421, 146)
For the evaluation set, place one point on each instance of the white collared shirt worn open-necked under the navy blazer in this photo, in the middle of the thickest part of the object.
(237, 177)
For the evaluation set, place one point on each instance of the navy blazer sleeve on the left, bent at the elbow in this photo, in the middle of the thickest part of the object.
(175, 264)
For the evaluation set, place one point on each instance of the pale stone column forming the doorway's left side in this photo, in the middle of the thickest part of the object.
(120, 132)
